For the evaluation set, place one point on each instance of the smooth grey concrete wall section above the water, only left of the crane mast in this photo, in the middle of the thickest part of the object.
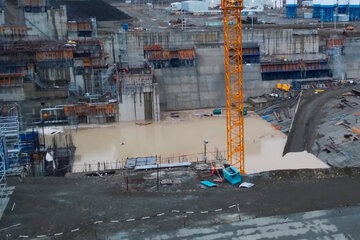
(194, 87)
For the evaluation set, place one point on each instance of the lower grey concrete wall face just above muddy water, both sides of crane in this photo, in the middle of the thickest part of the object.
(203, 85)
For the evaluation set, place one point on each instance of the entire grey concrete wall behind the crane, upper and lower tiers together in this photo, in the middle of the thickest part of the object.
(203, 85)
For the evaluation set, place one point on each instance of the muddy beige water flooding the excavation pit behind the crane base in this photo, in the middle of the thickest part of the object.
(181, 140)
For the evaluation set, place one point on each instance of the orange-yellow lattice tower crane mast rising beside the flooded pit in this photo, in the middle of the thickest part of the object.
(234, 90)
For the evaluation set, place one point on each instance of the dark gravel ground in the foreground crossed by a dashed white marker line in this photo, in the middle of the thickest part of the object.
(99, 207)
